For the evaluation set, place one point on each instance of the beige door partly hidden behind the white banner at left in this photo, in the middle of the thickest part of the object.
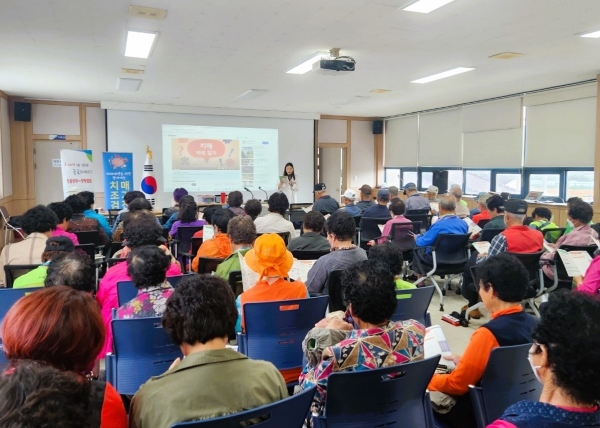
(48, 174)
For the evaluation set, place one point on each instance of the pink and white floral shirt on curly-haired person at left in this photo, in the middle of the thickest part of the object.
(150, 302)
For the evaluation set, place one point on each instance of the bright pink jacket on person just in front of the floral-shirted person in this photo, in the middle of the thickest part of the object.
(107, 297)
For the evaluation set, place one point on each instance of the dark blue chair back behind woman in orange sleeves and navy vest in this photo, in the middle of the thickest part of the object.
(508, 379)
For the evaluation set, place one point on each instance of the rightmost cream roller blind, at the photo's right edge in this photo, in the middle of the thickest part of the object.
(561, 134)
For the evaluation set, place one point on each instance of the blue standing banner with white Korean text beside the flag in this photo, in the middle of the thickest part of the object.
(118, 178)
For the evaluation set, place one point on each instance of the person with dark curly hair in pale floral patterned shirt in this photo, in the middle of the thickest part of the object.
(147, 266)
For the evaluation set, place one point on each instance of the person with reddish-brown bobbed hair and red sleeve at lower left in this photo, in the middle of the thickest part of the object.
(62, 327)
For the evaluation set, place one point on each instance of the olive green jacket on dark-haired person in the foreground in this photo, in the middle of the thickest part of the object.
(206, 385)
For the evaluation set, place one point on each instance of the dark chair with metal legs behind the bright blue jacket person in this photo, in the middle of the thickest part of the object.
(450, 253)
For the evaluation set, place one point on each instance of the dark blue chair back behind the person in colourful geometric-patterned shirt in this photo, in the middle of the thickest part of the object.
(372, 398)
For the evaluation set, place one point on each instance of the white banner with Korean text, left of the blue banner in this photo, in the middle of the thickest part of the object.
(77, 170)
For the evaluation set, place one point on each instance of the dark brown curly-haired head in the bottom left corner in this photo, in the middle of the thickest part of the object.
(34, 394)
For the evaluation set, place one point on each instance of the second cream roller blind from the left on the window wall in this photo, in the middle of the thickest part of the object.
(440, 138)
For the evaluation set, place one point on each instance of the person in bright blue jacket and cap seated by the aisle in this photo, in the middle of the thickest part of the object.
(448, 223)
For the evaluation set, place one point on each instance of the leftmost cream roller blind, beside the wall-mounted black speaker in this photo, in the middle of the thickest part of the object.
(401, 142)
